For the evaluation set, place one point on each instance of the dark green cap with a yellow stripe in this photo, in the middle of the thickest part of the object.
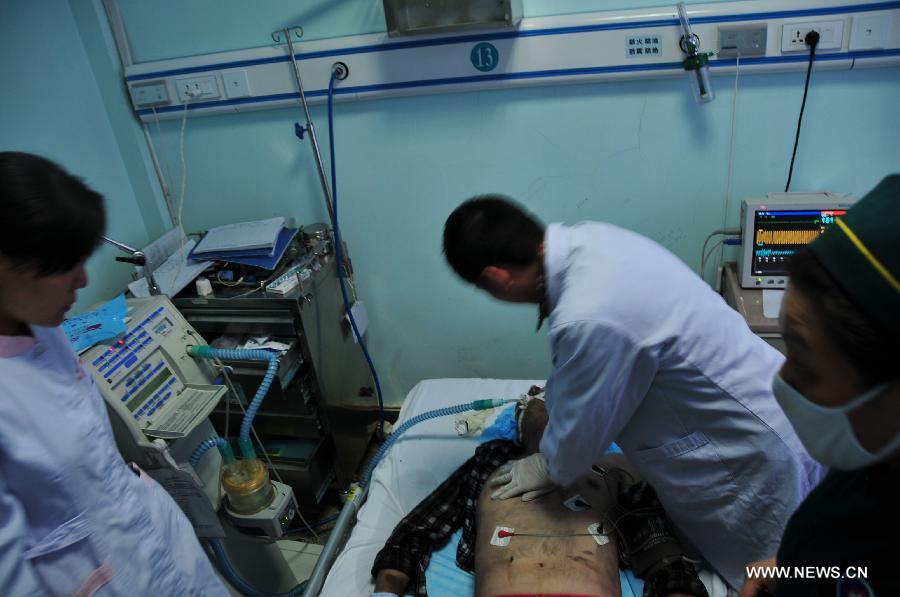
(861, 251)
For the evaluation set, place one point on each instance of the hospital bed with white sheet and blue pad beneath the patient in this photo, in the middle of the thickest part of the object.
(420, 461)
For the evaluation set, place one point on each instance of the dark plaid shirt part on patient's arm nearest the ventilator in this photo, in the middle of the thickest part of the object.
(450, 506)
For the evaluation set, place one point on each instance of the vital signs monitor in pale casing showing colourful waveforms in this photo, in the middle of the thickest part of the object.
(775, 228)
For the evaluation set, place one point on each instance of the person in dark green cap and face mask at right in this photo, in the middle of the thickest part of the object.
(840, 389)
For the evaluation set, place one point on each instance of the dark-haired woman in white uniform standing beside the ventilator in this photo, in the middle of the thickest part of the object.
(75, 519)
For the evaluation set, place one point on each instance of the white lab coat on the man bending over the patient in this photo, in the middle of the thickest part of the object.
(647, 355)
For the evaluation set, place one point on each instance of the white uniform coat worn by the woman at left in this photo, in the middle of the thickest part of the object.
(74, 518)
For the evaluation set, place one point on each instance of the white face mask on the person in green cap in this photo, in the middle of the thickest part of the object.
(826, 431)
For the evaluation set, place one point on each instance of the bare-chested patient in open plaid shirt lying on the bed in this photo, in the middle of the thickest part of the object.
(563, 543)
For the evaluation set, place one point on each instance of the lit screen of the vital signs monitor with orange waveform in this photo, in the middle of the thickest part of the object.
(779, 234)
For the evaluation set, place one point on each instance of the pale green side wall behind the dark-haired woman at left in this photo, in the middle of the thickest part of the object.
(51, 104)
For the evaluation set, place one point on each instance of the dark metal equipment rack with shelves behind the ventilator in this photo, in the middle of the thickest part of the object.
(320, 415)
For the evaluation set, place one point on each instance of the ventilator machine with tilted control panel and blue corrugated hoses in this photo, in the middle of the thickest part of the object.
(160, 382)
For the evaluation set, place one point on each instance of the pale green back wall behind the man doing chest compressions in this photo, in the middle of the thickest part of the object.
(639, 154)
